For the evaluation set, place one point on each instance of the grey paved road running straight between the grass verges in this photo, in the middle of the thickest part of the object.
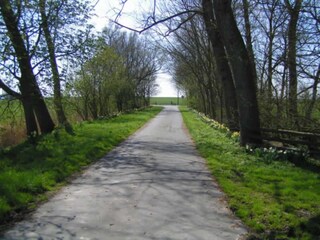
(153, 186)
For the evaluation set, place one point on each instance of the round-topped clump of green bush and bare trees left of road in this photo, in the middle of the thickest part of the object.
(119, 75)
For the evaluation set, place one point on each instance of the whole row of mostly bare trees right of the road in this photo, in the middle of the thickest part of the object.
(248, 64)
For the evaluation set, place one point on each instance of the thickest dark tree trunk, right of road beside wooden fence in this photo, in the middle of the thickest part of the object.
(241, 68)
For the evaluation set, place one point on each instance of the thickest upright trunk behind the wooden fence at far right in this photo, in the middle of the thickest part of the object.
(292, 55)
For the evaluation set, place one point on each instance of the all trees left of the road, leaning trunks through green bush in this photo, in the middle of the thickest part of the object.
(49, 50)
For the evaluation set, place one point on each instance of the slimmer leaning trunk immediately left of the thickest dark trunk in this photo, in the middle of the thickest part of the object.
(223, 69)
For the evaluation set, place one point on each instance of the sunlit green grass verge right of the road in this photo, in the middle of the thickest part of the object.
(276, 200)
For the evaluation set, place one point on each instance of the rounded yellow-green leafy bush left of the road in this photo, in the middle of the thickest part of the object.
(95, 92)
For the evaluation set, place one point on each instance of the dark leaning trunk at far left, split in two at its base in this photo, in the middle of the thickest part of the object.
(32, 100)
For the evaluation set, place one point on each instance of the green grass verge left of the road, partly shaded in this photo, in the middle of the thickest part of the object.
(27, 171)
